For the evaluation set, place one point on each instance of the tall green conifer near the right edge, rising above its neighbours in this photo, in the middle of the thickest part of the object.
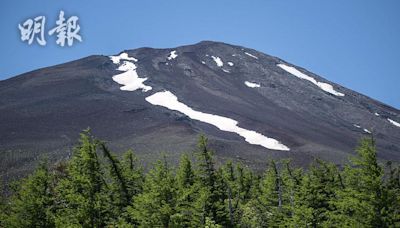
(364, 201)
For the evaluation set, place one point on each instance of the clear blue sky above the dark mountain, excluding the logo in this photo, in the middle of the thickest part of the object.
(353, 43)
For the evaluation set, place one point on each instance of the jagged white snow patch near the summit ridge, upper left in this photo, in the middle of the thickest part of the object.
(129, 78)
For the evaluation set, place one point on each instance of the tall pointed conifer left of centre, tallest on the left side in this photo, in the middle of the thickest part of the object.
(82, 195)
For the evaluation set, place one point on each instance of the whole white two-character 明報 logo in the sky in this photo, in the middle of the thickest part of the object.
(67, 30)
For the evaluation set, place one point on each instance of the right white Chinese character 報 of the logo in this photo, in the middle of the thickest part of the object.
(66, 30)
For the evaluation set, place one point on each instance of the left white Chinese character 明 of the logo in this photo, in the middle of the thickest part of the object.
(30, 28)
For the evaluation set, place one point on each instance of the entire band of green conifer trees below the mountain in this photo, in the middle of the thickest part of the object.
(95, 188)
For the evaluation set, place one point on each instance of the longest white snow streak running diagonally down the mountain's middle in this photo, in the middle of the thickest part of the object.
(168, 100)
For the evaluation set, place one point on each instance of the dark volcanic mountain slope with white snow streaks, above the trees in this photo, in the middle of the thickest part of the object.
(251, 105)
